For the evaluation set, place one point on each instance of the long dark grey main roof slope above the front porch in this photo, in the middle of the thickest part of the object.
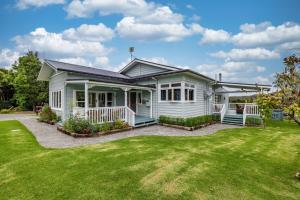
(83, 69)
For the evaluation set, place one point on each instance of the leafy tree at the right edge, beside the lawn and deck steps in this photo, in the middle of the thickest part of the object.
(288, 83)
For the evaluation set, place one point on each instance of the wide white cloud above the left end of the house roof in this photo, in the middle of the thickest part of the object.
(53, 44)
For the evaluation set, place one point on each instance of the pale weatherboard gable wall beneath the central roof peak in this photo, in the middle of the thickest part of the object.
(143, 69)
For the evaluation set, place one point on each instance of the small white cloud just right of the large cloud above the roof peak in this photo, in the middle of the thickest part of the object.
(214, 36)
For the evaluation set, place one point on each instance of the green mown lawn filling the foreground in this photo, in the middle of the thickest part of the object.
(248, 163)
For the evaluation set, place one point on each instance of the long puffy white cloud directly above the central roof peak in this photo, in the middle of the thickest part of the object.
(129, 27)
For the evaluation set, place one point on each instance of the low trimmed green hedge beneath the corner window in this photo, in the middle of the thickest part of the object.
(188, 122)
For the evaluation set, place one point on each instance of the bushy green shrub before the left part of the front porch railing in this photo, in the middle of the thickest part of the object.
(79, 125)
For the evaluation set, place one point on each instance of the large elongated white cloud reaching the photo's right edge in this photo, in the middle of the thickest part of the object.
(266, 34)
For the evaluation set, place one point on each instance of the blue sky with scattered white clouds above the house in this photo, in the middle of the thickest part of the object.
(244, 40)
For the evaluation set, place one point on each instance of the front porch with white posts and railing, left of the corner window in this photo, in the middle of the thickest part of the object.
(100, 102)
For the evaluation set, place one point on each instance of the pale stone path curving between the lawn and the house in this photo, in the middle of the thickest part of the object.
(49, 137)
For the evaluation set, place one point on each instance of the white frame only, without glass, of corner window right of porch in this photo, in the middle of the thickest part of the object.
(184, 85)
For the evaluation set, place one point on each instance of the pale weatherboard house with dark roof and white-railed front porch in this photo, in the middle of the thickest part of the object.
(138, 94)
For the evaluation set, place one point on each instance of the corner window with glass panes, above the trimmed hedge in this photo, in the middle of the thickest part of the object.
(173, 92)
